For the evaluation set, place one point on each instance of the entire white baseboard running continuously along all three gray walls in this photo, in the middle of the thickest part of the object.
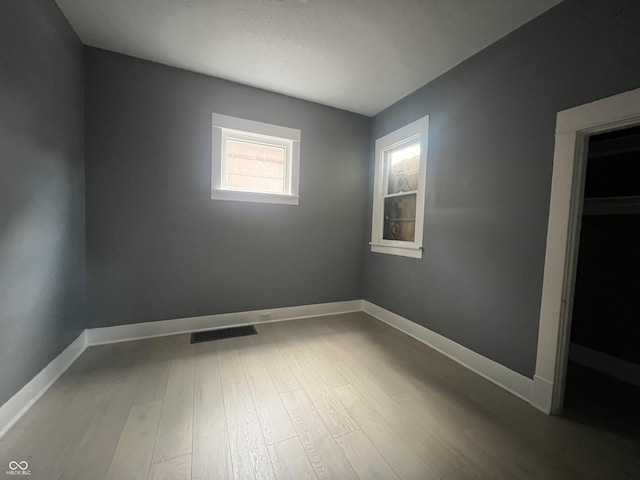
(17, 405)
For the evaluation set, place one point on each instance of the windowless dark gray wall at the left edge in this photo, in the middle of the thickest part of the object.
(41, 189)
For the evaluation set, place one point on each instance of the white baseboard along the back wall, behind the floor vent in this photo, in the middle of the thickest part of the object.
(136, 331)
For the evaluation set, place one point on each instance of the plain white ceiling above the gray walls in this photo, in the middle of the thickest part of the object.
(358, 55)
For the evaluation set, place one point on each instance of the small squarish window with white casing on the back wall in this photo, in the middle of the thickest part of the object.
(254, 161)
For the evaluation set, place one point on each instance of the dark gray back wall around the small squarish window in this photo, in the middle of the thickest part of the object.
(159, 248)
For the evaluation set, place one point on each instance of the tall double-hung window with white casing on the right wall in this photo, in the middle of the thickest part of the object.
(399, 191)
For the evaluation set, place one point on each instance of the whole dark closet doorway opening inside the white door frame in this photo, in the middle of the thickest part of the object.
(603, 374)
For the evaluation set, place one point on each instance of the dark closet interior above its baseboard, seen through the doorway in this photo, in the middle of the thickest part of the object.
(606, 307)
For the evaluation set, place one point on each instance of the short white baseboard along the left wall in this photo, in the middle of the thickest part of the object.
(22, 401)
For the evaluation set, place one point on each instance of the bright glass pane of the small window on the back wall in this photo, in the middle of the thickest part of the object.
(254, 167)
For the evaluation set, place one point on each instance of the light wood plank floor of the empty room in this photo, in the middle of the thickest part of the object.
(338, 397)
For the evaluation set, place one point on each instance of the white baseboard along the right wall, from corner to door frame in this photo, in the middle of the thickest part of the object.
(511, 381)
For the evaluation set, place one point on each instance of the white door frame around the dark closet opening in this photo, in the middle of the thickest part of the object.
(573, 129)
